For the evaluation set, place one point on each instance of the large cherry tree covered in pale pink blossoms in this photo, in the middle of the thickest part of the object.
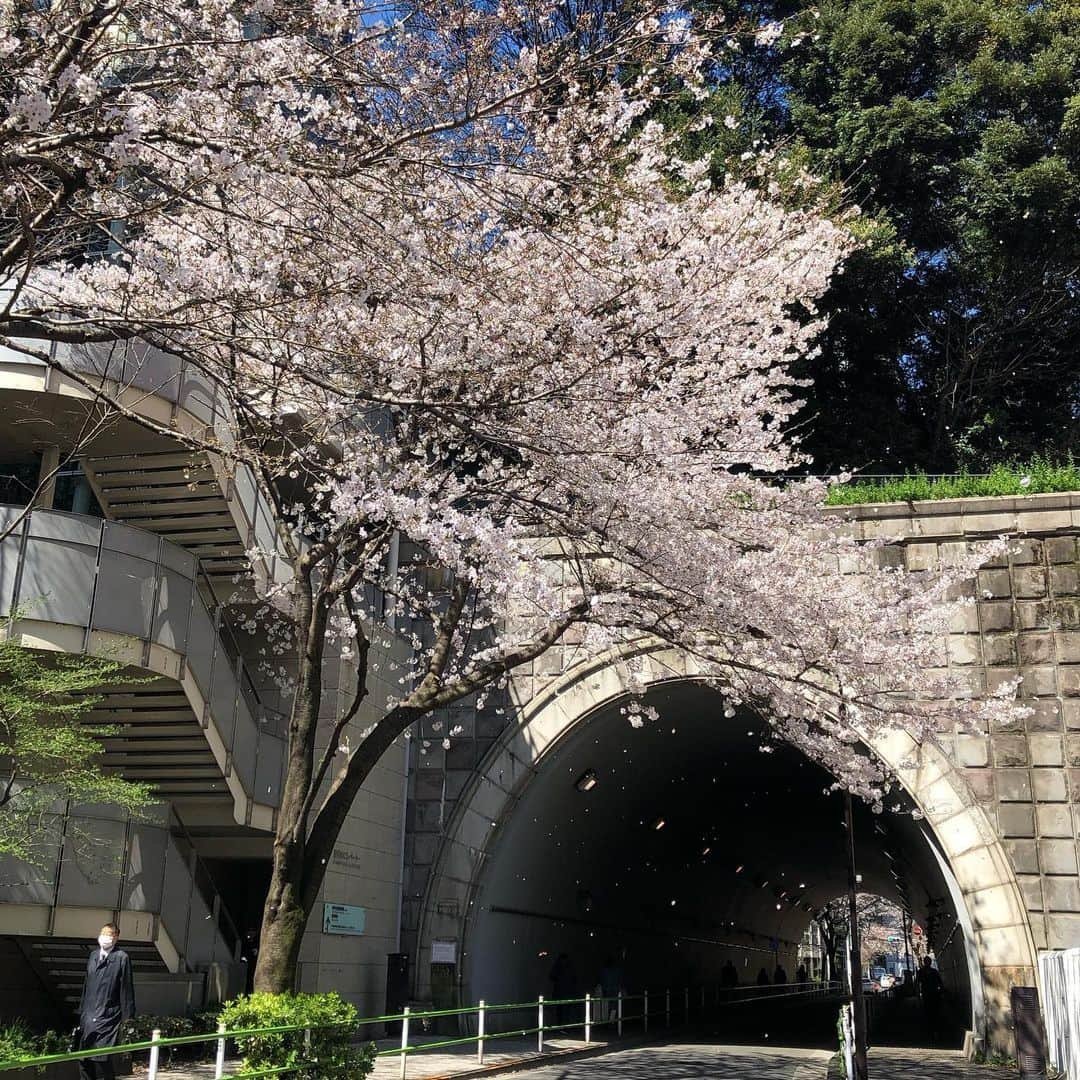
(463, 291)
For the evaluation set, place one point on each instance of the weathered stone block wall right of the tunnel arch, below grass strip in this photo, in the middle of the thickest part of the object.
(1025, 624)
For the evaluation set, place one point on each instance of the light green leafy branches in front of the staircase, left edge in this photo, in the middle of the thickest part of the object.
(48, 753)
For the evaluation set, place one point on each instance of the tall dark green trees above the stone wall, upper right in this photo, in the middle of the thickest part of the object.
(955, 126)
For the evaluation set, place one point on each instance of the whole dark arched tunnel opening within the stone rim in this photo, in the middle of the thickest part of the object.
(683, 844)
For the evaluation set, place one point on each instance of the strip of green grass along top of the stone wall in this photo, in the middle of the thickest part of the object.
(1038, 476)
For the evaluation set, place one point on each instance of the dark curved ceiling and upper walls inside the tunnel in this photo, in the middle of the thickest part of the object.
(750, 841)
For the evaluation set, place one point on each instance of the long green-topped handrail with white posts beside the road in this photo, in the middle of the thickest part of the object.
(158, 1043)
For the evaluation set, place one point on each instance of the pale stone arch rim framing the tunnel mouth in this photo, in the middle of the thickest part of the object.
(1002, 951)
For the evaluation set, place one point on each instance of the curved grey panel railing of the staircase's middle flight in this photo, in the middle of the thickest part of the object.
(100, 576)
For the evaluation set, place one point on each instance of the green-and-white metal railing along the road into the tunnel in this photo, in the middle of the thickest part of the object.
(687, 1005)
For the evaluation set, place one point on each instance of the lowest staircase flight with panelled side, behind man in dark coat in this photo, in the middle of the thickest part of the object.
(172, 922)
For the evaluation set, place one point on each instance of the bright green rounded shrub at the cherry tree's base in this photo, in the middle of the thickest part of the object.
(333, 1024)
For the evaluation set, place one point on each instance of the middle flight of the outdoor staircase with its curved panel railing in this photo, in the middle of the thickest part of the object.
(200, 730)
